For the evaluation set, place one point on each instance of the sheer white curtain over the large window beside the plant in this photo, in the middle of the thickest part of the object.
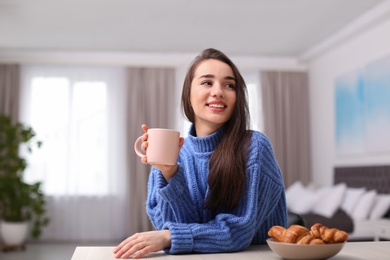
(78, 114)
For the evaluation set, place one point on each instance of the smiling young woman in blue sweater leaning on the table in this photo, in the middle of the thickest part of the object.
(226, 190)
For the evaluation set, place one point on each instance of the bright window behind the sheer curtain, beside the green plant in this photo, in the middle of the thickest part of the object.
(68, 110)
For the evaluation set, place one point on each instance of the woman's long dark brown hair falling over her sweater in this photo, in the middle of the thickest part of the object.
(226, 177)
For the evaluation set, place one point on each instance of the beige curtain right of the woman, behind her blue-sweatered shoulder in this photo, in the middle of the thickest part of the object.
(285, 108)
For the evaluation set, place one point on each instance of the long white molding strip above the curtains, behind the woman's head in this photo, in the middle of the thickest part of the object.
(138, 59)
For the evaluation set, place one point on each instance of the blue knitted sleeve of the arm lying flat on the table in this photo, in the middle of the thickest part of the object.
(262, 206)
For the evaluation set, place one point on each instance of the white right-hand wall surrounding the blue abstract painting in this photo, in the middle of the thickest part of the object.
(354, 53)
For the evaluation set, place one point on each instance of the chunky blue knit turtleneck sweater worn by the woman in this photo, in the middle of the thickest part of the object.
(177, 205)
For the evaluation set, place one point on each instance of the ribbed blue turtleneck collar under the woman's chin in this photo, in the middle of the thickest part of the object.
(204, 144)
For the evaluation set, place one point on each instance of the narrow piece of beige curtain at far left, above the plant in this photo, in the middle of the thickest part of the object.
(9, 90)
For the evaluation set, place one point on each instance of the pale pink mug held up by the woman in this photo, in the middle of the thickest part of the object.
(163, 146)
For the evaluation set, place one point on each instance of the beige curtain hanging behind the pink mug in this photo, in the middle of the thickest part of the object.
(150, 99)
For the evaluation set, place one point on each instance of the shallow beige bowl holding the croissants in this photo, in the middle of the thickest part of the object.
(312, 252)
